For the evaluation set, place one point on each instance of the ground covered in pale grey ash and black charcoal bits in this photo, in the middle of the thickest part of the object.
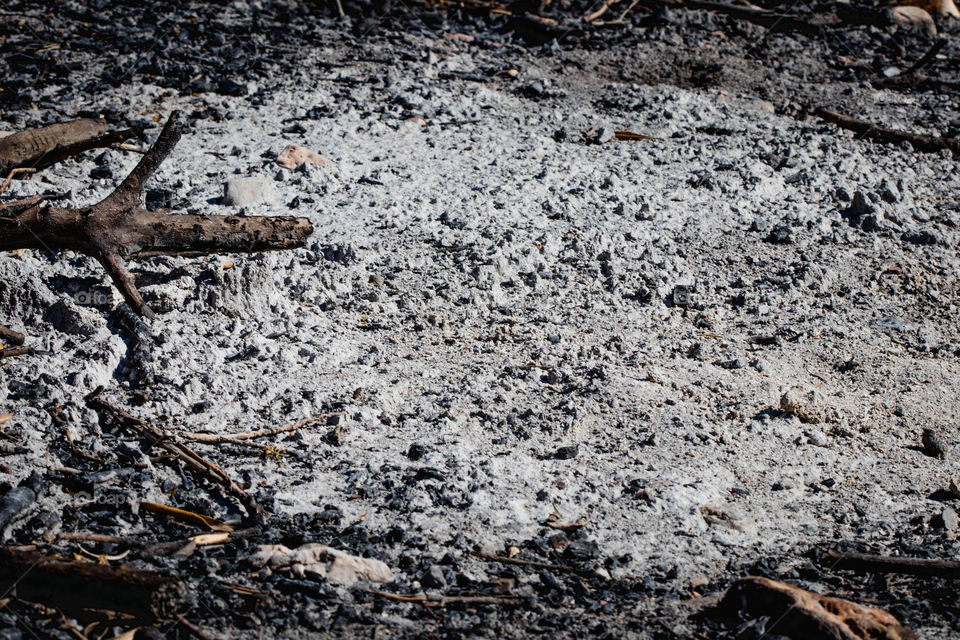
(518, 317)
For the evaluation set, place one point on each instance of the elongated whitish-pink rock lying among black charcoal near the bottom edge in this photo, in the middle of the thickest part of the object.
(321, 561)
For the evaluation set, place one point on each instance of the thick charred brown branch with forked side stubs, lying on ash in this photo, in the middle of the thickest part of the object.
(120, 228)
